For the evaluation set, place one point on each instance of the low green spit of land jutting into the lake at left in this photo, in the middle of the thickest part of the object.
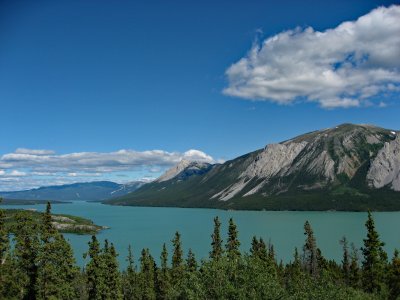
(63, 223)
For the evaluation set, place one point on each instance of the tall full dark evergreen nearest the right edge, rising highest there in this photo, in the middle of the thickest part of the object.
(375, 259)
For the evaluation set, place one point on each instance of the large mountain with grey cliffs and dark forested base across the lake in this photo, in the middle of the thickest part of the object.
(348, 167)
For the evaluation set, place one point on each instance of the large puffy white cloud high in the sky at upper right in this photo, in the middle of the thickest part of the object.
(340, 67)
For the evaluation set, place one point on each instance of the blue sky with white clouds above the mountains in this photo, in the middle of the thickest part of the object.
(123, 90)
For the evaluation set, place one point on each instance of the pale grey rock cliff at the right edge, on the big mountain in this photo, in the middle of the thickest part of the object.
(385, 168)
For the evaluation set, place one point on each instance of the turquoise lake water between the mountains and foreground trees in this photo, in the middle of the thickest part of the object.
(150, 227)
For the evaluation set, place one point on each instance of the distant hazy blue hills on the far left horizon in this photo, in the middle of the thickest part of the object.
(91, 191)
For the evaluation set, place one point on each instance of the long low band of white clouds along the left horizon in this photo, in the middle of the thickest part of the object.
(28, 168)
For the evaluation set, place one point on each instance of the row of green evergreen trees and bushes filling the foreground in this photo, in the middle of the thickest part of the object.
(40, 265)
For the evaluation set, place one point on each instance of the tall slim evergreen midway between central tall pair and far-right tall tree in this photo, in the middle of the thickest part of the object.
(310, 255)
